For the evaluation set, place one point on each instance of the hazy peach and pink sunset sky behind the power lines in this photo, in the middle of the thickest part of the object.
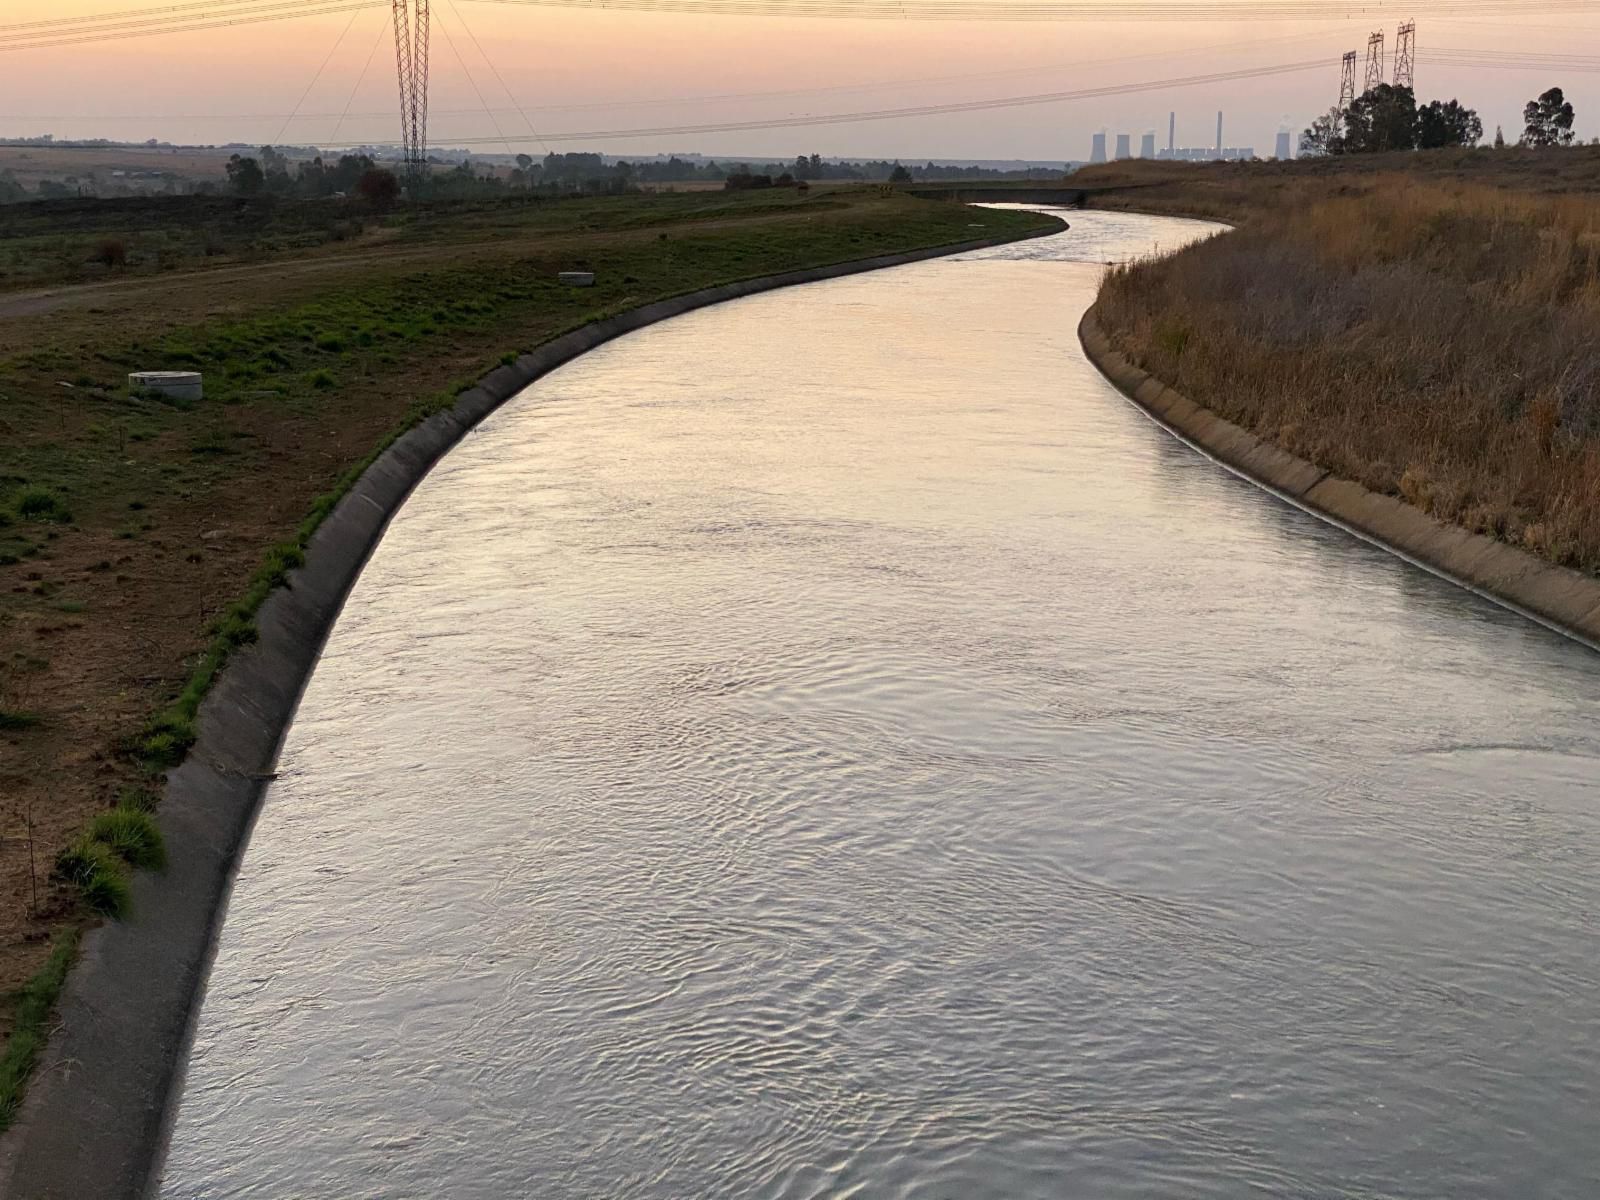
(590, 71)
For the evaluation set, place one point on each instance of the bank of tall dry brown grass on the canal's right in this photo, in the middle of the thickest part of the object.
(1420, 324)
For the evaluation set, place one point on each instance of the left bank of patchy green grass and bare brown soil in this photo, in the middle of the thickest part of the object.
(138, 537)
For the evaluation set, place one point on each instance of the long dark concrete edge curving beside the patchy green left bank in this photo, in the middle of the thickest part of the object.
(95, 1119)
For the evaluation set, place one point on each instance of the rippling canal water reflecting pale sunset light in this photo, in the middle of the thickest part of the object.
(831, 745)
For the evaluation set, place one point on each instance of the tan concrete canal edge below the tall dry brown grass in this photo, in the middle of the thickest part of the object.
(1554, 596)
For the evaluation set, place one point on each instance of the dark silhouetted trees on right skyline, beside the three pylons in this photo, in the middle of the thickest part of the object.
(1390, 119)
